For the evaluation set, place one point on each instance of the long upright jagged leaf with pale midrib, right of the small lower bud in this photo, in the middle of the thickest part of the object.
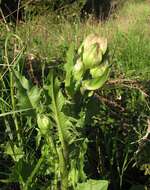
(63, 122)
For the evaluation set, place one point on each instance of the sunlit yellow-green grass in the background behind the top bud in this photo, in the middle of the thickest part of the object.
(127, 31)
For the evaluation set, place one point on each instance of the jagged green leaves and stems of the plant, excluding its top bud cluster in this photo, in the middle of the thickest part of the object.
(67, 145)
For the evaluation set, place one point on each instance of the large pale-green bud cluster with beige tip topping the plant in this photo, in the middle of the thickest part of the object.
(91, 53)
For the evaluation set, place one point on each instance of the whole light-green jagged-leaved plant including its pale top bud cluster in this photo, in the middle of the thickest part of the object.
(58, 121)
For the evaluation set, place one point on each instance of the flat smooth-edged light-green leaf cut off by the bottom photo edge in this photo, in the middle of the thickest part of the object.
(93, 185)
